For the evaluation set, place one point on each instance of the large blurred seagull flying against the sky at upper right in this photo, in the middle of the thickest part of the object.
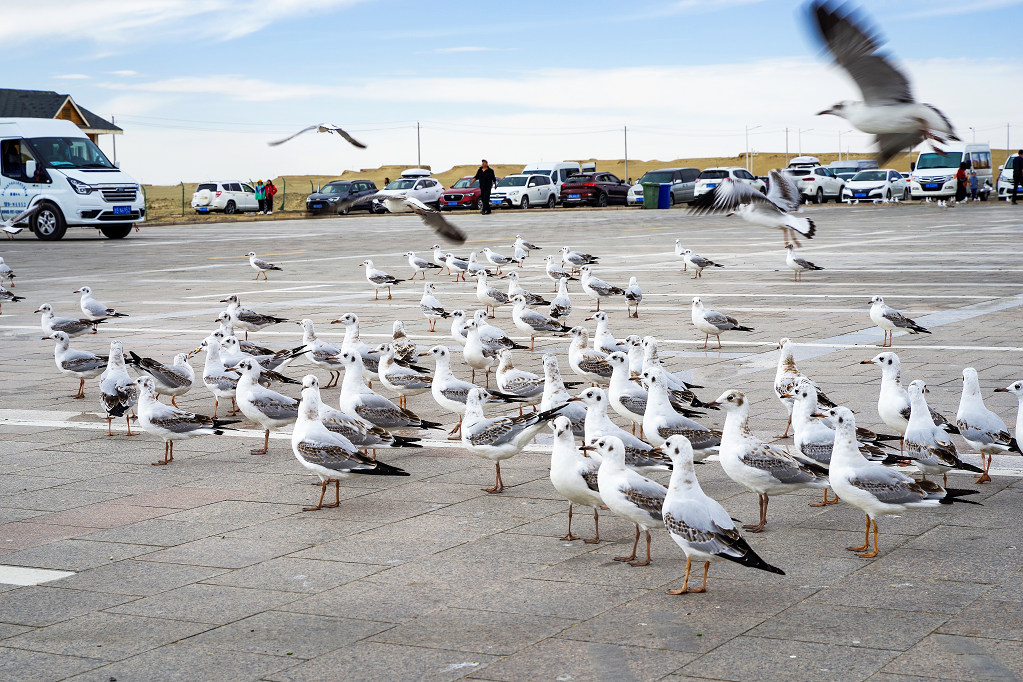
(889, 111)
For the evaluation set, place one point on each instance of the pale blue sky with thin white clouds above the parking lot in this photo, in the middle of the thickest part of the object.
(201, 87)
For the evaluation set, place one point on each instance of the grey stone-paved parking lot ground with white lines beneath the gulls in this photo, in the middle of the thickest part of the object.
(209, 569)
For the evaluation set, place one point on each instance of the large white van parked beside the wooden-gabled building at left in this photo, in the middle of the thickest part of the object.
(54, 164)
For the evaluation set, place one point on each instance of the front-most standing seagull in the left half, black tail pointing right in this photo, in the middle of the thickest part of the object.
(328, 454)
